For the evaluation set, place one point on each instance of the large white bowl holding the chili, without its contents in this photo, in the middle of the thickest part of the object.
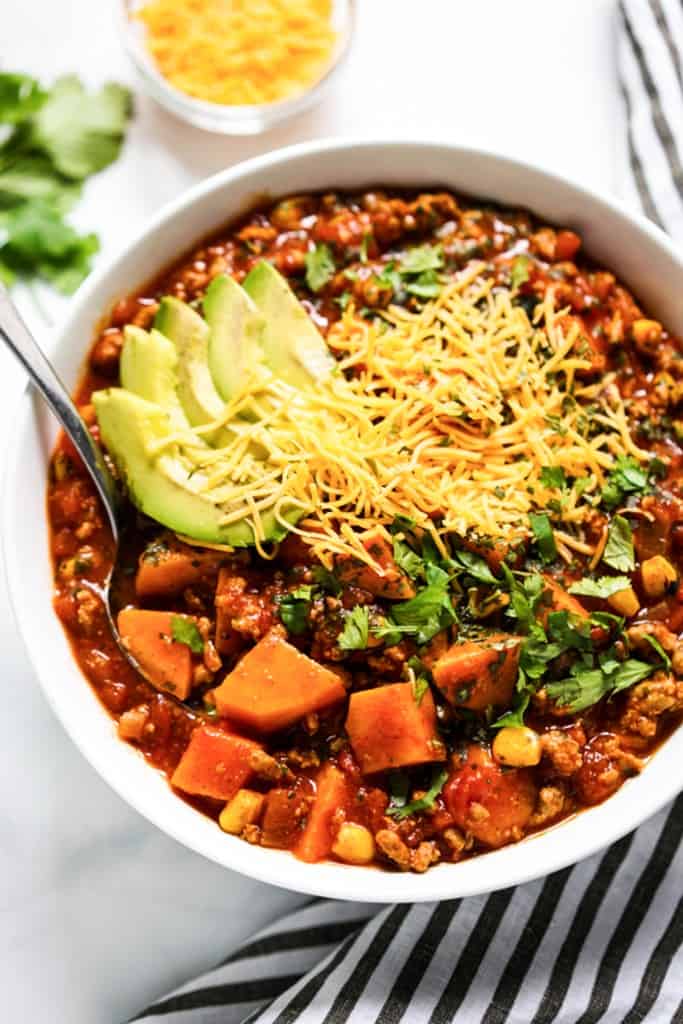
(629, 245)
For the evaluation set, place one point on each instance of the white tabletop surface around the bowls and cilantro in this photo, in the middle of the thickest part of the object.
(100, 913)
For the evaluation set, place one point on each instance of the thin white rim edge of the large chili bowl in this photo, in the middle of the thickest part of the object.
(591, 831)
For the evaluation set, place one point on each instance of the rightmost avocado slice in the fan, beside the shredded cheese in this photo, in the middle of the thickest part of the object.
(293, 347)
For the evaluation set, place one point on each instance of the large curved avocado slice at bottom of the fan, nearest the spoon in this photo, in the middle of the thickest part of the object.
(165, 487)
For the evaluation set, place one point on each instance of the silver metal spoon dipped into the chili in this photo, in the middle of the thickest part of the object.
(20, 340)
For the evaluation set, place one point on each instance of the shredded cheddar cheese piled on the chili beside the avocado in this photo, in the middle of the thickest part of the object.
(448, 415)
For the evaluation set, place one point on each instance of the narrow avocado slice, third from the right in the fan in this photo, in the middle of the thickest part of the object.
(197, 392)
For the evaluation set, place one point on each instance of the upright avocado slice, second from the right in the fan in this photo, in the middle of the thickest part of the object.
(236, 328)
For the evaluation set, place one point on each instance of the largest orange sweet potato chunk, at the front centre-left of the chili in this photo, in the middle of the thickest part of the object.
(274, 686)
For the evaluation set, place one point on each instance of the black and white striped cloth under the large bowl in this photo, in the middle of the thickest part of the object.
(603, 942)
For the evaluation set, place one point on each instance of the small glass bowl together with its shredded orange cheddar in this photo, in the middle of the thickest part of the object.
(237, 67)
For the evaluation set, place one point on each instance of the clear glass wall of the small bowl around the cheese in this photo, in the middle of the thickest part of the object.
(220, 117)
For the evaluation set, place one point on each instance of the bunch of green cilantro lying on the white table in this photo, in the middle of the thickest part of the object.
(55, 140)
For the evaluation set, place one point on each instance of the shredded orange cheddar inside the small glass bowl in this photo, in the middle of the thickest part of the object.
(239, 53)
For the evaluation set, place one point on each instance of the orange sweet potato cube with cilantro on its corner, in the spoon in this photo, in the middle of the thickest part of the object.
(149, 637)
